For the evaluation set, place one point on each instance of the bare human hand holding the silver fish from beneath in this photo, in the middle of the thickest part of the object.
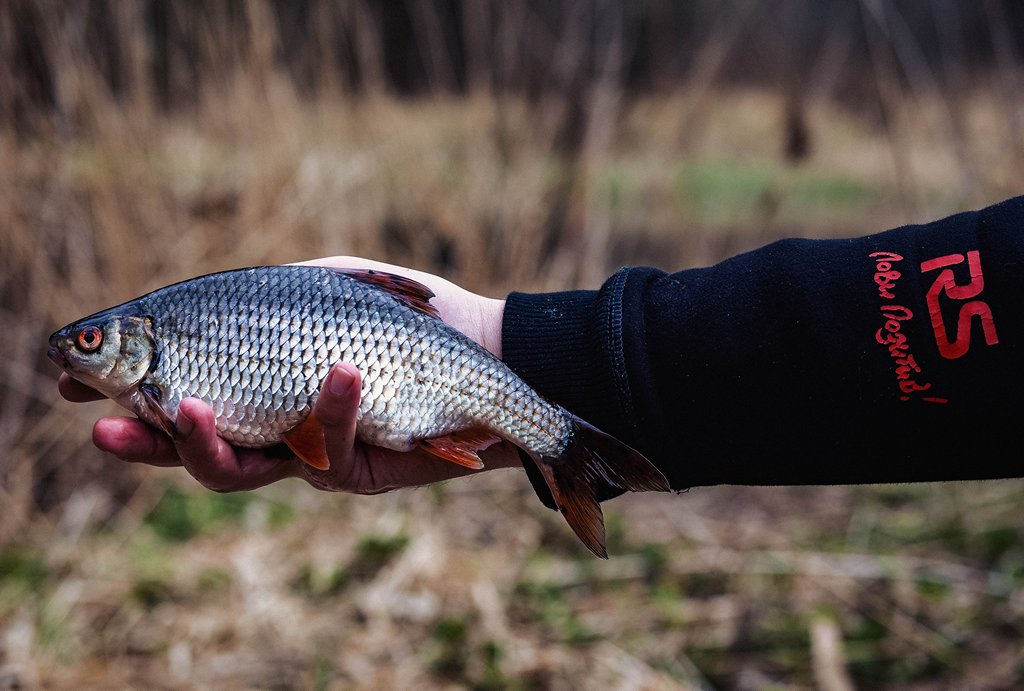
(355, 467)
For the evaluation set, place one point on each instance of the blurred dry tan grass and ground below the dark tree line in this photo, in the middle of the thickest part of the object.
(115, 577)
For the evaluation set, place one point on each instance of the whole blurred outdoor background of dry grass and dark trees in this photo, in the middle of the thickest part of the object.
(535, 146)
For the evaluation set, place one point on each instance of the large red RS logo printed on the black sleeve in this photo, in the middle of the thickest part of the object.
(947, 283)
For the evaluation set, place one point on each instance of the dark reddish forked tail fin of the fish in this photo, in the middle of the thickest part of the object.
(594, 457)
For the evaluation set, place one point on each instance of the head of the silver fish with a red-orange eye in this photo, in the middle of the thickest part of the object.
(109, 352)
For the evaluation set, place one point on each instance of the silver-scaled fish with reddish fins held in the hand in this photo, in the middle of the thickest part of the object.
(258, 343)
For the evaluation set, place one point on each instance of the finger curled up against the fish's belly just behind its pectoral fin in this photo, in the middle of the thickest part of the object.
(212, 461)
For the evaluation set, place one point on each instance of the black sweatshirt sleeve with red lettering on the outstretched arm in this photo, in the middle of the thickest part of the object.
(891, 358)
